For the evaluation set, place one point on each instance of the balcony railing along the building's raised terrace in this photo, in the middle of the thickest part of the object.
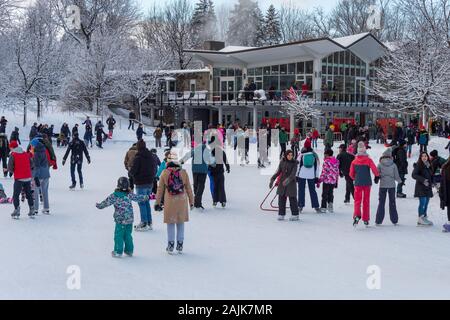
(262, 97)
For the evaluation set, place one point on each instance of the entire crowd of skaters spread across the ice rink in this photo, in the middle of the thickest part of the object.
(168, 184)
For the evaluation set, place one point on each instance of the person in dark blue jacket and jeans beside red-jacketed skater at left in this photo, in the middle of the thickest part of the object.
(41, 175)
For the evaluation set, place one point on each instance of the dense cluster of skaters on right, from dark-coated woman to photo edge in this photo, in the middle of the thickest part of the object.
(353, 163)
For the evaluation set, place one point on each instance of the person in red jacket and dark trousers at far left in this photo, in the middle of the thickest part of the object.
(20, 165)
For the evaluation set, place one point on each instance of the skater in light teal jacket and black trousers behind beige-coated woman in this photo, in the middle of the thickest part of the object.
(201, 158)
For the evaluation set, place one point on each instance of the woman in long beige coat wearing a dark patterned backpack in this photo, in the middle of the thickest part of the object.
(178, 197)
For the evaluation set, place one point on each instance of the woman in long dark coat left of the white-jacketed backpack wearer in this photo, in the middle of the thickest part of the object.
(285, 177)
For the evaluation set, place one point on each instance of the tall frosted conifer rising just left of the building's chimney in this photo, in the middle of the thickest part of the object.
(204, 22)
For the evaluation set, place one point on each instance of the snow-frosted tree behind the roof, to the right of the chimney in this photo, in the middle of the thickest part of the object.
(245, 22)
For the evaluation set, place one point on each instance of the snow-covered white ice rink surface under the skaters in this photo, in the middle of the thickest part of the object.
(238, 252)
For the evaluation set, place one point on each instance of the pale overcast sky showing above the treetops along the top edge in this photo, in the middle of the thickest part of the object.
(264, 4)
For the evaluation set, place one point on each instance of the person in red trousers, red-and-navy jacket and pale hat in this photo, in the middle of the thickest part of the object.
(360, 173)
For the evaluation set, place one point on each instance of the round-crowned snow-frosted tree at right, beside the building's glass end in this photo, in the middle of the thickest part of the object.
(415, 79)
